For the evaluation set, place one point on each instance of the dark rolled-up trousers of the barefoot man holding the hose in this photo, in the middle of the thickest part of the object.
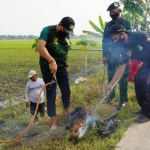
(63, 82)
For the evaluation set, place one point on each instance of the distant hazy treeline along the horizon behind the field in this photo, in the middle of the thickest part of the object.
(16, 37)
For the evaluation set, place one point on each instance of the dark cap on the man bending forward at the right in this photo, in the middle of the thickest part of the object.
(117, 29)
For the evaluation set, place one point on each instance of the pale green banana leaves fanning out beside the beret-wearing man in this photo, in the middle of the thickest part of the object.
(99, 30)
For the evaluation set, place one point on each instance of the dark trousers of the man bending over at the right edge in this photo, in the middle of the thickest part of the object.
(142, 89)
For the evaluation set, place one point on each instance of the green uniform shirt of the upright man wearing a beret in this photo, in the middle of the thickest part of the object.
(107, 41)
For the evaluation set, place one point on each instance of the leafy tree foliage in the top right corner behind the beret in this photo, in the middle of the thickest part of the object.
(138, 13)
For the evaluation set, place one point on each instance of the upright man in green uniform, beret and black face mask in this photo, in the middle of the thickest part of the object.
(111, 53)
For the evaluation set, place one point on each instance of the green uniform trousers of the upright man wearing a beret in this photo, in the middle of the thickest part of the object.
(123, 83)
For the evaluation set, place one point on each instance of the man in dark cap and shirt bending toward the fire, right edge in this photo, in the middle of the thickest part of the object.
(136, 46)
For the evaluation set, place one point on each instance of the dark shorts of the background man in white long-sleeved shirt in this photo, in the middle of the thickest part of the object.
(40, 108)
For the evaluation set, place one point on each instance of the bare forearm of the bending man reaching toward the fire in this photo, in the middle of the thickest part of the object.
(119, 73)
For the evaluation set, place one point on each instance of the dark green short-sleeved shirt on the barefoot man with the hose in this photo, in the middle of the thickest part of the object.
(57, 47)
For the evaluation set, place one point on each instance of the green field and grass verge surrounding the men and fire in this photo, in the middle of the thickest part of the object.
(17, 58)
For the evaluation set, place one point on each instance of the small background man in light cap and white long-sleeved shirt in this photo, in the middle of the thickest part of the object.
(33, 88)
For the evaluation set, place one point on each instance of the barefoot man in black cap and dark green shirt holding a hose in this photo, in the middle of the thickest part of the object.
(53, 49)
